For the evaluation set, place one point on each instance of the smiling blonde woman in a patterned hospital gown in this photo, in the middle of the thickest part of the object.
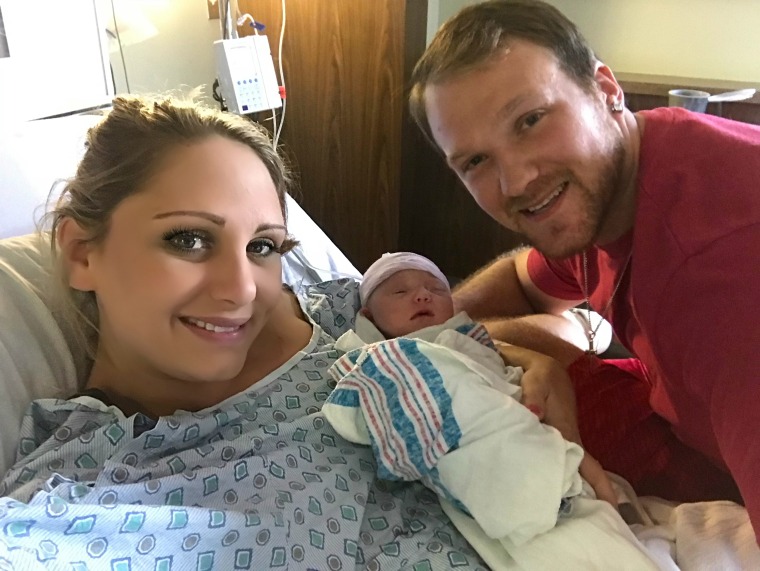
(197, 441)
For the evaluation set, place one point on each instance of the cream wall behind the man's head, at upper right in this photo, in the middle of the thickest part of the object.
(715, 39)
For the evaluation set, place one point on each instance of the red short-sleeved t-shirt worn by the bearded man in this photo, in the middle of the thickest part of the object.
(689, 306)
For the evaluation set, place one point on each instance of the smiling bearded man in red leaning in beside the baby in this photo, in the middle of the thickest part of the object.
(651, 218)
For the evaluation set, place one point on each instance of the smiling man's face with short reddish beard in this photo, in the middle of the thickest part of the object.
(539, 154)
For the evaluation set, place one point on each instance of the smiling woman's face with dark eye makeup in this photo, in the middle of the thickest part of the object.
(190, 268)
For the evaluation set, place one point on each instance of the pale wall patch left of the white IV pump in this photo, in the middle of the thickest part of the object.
(167, 45)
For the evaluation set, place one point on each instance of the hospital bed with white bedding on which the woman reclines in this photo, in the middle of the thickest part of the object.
(34, 156)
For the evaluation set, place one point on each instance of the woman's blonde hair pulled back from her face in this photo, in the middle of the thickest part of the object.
(121, 153)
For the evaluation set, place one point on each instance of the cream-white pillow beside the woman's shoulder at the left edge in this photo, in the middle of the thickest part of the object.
(35, 359)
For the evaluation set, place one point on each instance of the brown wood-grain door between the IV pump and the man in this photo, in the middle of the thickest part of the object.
(346, 65)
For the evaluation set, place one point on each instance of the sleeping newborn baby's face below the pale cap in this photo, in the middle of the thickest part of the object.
(407, 301)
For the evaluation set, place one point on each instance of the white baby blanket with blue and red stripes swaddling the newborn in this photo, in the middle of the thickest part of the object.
(444, 411)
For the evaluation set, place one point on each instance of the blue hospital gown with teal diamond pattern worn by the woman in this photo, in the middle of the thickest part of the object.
(260, 481)
